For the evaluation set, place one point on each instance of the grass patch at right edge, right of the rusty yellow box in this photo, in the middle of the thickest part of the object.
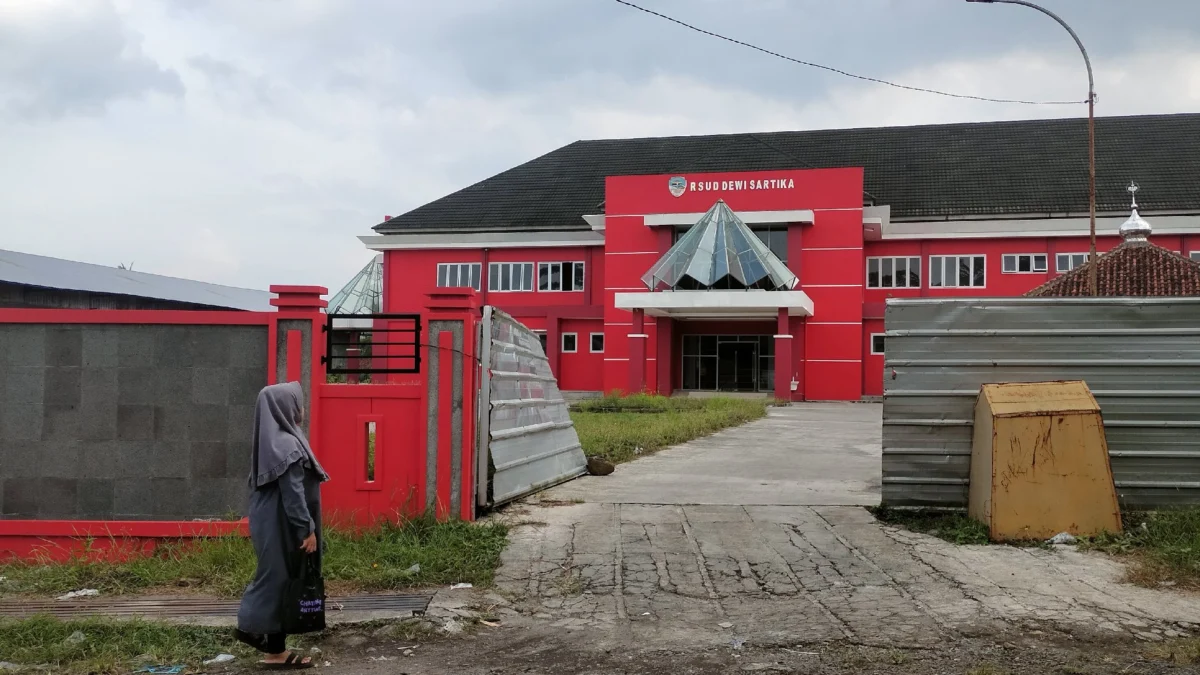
(1165, 547)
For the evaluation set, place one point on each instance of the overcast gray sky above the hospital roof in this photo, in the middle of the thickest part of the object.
(250, 142)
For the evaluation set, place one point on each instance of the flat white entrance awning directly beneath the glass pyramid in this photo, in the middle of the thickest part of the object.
(718, 304)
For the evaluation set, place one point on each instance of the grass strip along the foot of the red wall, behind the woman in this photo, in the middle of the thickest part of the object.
(375, 559)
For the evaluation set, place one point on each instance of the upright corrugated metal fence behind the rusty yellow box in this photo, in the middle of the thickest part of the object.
(1139, 357)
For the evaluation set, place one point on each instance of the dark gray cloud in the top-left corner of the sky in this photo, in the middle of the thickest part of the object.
(73, 58)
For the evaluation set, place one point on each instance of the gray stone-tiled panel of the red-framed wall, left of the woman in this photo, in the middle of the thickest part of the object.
(128, 422)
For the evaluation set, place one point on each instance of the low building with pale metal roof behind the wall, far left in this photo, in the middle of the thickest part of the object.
(45, 283)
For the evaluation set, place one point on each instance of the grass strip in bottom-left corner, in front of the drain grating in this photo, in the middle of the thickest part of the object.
(111, 647)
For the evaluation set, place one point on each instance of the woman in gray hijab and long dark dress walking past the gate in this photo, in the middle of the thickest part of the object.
(285, 521)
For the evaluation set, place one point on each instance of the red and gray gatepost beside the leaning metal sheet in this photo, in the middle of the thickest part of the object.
(452, 385)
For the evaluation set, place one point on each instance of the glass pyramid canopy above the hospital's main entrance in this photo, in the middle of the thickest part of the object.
(719, 253)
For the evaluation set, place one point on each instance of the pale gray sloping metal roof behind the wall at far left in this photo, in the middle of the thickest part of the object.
(28, 270)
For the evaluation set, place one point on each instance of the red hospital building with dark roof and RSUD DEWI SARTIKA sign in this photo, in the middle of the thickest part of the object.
(590, 244)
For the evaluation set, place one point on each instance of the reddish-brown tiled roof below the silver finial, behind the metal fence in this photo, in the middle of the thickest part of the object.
(1132, 270)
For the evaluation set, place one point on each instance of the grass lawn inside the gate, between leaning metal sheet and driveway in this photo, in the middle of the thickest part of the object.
(625, 428)
